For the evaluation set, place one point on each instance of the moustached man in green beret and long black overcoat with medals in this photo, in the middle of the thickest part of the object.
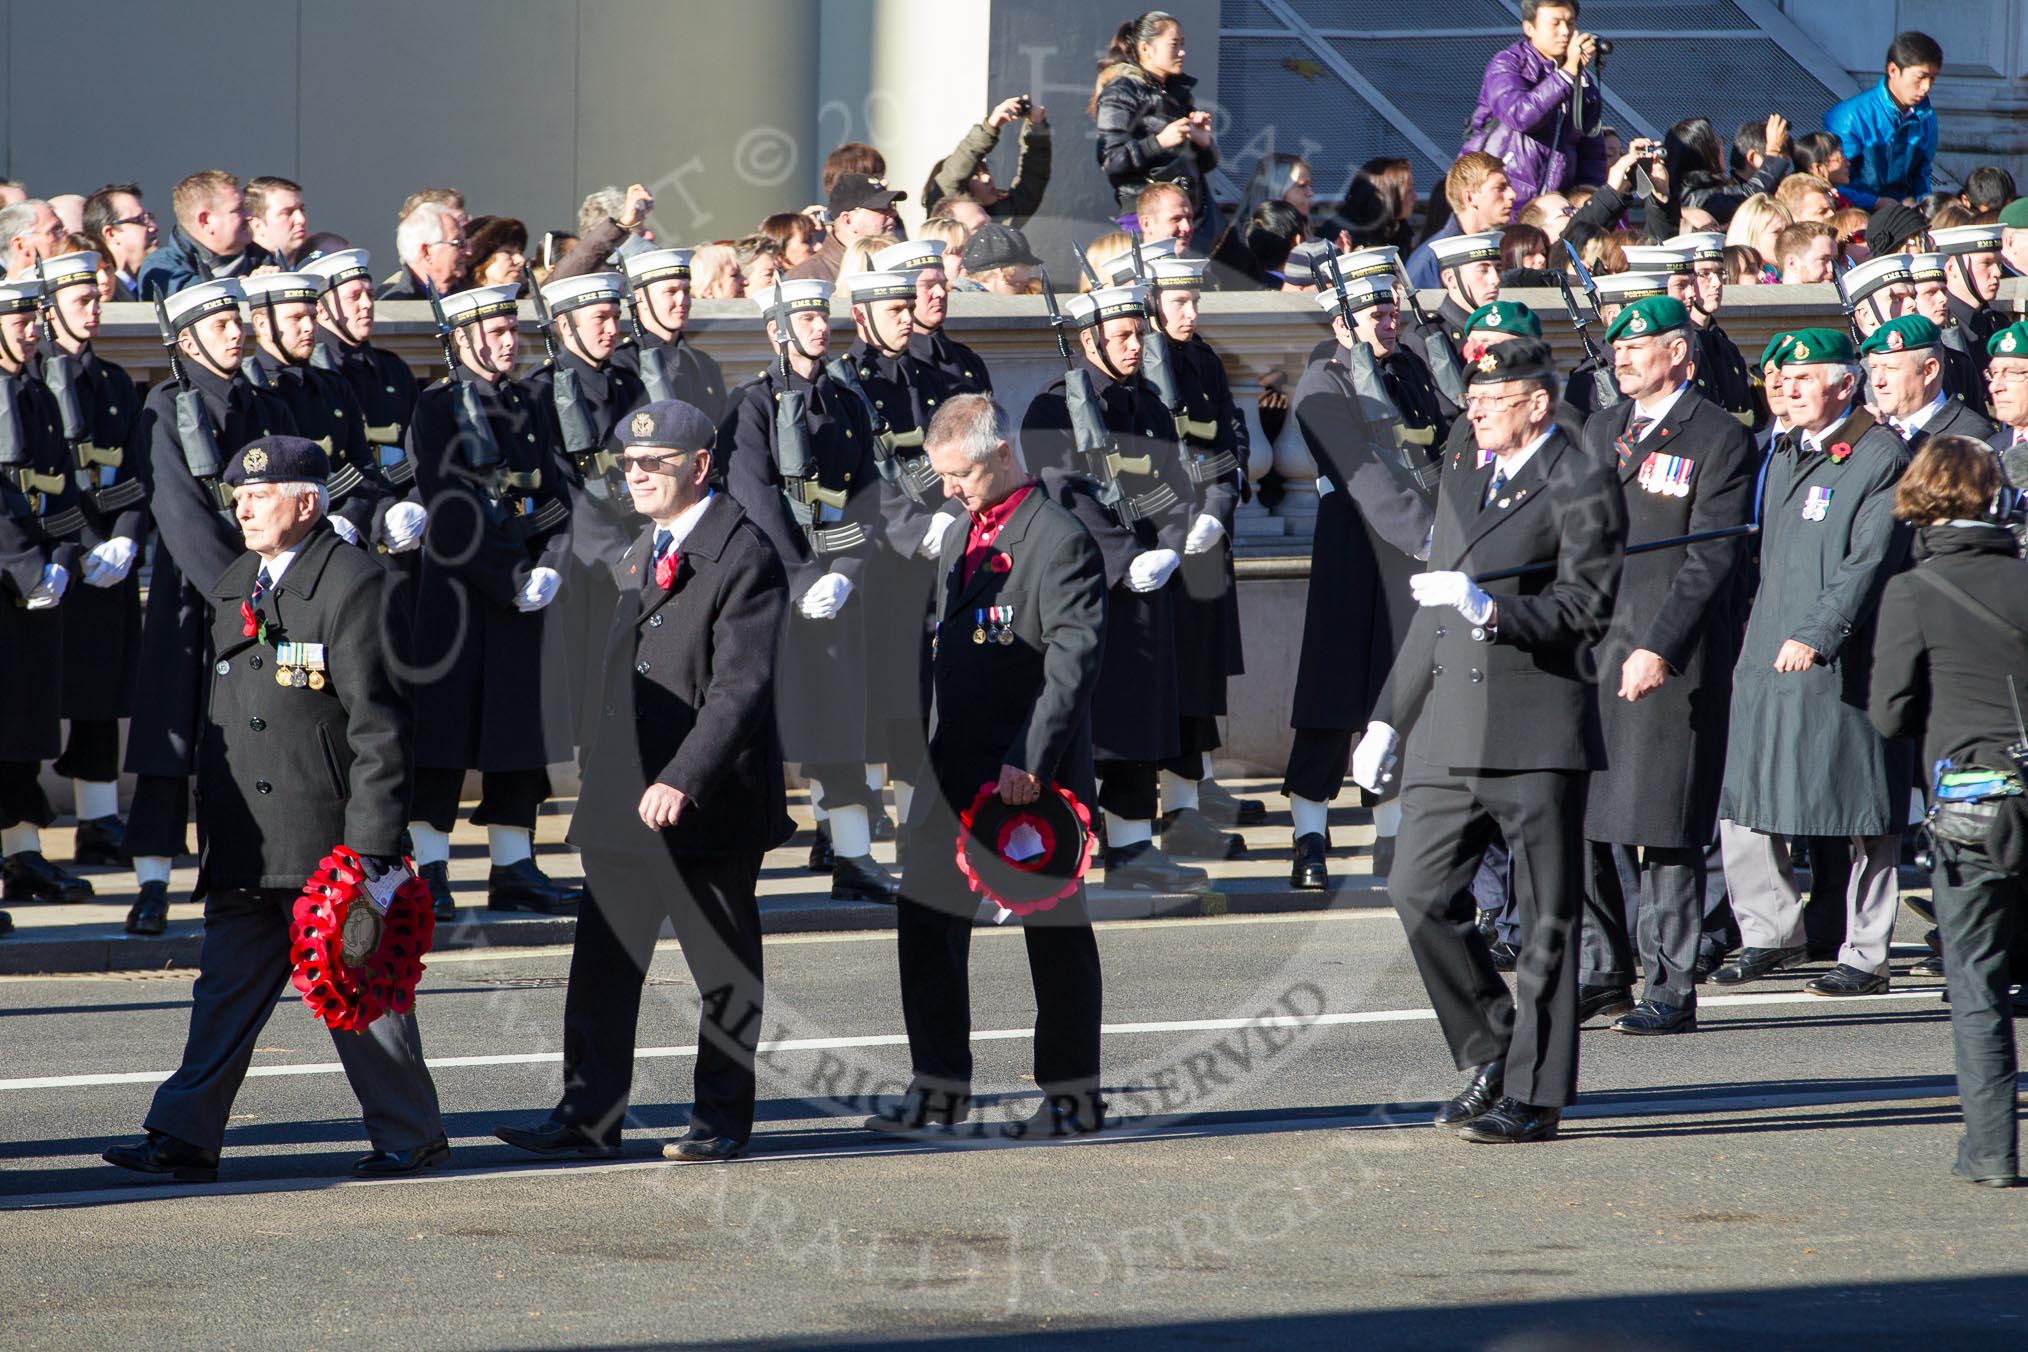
(1686, 467)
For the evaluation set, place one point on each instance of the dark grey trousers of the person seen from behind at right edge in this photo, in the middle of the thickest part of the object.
(1980, 913)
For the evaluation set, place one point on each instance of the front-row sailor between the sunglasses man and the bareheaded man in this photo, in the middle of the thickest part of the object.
(802, 465)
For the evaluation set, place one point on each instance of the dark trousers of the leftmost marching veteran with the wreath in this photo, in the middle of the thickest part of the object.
(240, 974)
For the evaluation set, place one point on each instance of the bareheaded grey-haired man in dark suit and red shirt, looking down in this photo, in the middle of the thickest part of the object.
(1021, 621)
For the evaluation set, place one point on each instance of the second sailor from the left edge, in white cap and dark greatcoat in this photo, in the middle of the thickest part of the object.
(100, 408)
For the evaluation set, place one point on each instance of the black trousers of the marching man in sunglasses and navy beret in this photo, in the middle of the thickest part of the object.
(711, 903)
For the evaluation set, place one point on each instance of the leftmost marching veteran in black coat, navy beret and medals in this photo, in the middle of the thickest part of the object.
(303, 749)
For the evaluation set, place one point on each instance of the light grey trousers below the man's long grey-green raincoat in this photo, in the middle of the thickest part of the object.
(1769, 907)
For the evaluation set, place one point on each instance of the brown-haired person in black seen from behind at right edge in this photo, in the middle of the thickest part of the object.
(1950, 664)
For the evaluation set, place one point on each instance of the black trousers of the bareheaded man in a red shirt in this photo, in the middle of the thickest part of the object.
(934, 942)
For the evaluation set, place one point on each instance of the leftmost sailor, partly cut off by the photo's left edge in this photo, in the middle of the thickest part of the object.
(40, 562)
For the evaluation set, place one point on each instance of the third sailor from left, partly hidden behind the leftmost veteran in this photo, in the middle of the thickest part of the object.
(198, 538)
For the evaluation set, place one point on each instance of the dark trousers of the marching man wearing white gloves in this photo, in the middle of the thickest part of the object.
(1447, 822)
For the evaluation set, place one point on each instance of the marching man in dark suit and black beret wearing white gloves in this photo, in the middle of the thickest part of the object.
(1496, 696)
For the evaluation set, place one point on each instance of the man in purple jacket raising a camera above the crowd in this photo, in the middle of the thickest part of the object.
(1538, 106)
